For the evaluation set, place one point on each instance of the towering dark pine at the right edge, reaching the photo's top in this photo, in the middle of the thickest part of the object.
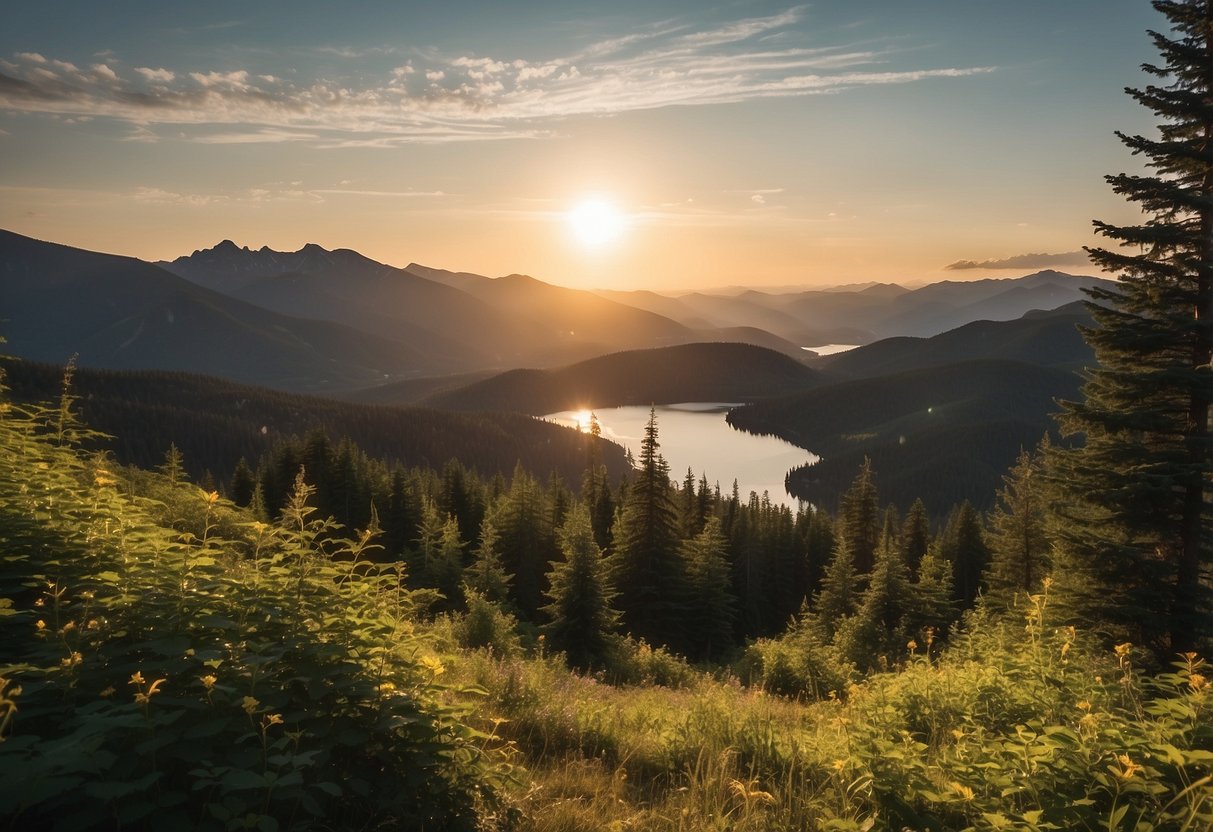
(1137, 509)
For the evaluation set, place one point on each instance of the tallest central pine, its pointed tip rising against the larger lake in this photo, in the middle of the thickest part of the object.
(650, 571)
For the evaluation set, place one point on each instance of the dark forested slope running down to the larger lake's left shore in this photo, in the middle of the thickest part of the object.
(215, 423)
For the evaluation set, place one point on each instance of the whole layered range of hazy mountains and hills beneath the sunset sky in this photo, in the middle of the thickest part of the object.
(987, 360)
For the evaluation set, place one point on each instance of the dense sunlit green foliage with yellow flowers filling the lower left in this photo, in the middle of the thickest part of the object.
(189, 680)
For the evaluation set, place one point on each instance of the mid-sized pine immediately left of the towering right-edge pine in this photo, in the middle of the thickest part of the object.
(1020, 542)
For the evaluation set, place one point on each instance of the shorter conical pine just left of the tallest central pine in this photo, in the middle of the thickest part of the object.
(583, 617)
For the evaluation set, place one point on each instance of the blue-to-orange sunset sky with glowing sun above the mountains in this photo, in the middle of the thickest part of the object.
(662, 145)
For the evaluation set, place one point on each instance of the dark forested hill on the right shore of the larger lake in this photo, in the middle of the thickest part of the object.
(943, 434)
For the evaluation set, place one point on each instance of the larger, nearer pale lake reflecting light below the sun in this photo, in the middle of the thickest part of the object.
(696, 435)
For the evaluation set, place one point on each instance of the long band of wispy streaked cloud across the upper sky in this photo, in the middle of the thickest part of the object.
(458, 98)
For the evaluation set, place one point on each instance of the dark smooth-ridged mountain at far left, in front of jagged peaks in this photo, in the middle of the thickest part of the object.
(124, 314)
